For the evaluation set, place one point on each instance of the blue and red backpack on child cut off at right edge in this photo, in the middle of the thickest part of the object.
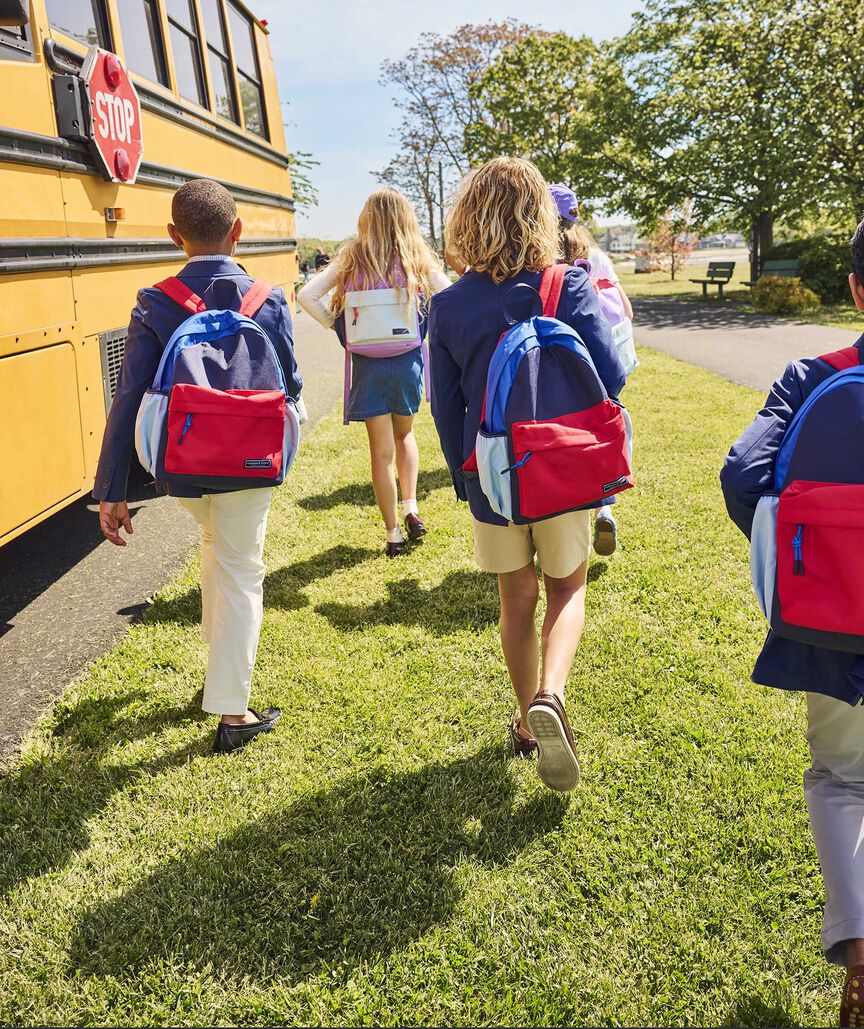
(807, 550)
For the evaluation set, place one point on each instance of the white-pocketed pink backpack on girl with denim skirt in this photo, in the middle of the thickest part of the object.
(381, 324)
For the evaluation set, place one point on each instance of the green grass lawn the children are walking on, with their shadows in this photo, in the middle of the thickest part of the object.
(380, 860)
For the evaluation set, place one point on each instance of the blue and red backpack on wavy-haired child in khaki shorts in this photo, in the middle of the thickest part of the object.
(551, 440)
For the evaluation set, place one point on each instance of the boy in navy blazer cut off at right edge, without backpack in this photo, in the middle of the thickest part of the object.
(834, 682)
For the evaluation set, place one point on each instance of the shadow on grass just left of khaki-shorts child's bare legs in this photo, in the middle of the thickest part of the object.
(462, 600)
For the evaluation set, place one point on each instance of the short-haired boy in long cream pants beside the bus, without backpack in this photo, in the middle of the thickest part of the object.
(234, 524)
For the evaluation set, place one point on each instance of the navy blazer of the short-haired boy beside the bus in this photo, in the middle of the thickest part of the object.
(222, 285)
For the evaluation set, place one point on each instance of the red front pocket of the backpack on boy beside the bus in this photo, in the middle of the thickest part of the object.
(237, 434)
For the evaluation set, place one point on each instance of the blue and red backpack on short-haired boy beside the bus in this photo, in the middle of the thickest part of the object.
(218, 415)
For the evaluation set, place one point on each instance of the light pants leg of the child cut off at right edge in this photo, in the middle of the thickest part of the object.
(835, 792)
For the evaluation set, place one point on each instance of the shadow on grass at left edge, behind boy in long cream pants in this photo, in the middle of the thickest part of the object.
(48, 802)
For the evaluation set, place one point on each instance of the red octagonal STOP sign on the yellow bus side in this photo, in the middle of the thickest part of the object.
(115, 116)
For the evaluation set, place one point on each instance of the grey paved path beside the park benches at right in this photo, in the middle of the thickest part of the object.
(752, 350)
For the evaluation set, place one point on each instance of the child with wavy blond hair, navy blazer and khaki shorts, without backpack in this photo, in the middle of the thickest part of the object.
(505, 229)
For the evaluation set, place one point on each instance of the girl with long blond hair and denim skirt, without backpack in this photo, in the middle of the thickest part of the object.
(389, 254)
